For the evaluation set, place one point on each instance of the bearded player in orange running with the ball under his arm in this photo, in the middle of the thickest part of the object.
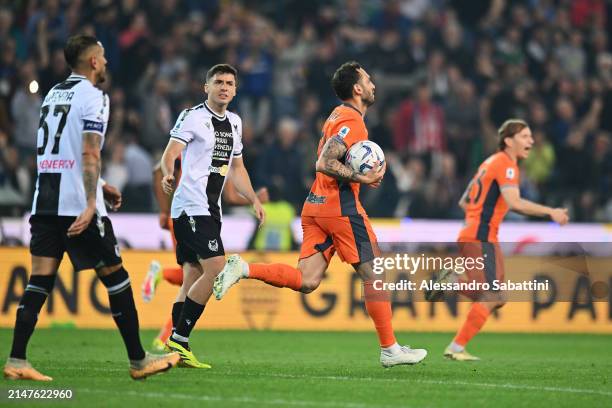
(333, 219)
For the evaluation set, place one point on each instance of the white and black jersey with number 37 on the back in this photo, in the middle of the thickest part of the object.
(71, 108)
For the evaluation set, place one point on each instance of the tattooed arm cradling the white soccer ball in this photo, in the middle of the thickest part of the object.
(329, 163)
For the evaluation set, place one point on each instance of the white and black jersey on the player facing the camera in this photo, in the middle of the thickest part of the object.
(212, 141)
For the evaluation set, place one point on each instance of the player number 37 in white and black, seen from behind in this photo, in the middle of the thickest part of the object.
(68, 212)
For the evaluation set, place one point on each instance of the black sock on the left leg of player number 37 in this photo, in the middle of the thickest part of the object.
(32, 301)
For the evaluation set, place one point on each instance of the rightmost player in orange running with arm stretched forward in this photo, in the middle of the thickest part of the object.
(492, 192)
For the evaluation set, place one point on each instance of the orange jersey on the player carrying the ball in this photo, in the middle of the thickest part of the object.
(329, 197)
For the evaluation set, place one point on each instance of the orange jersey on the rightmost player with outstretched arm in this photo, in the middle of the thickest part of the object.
(485, 205)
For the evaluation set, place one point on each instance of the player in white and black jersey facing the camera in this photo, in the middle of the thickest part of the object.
(209, 139)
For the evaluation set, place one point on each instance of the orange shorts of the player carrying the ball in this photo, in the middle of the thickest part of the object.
(351, 236)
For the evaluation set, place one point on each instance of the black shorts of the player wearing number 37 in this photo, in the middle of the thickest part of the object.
(93, 248)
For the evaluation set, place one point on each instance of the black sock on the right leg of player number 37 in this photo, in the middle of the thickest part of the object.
(124, 312)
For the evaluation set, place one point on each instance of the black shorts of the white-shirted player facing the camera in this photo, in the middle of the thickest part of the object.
(197, 237)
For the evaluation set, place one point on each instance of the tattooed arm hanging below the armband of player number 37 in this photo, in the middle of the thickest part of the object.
(91, 175)
